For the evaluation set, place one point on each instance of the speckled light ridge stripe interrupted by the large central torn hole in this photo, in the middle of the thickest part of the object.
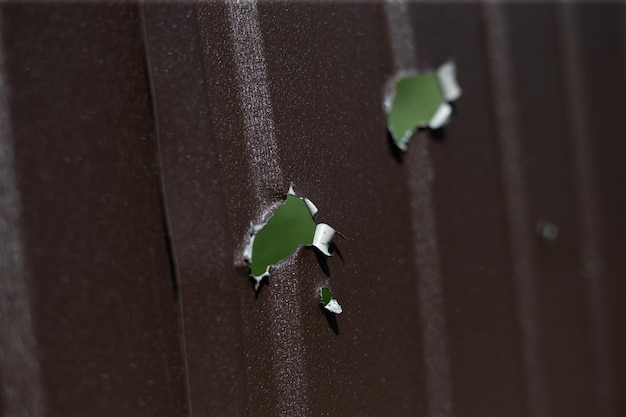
(263, 163)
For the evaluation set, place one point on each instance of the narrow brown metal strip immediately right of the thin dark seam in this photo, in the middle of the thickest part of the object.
(198, 216)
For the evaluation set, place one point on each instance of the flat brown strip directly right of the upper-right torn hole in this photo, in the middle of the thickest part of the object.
(478, 288)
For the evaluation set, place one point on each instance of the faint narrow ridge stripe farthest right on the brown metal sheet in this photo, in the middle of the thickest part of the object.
(590, 246)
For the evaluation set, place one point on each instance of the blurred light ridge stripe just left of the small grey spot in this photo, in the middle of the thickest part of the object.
(516, 200)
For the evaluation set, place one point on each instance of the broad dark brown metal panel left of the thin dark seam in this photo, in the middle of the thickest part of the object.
(104, 309)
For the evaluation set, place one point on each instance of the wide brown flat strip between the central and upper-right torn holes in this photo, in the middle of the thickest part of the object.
(328, 113)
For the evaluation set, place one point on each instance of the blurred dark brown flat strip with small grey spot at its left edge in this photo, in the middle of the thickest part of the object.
(563, 330)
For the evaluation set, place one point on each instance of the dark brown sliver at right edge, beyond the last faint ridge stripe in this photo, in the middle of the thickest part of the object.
(605, 98)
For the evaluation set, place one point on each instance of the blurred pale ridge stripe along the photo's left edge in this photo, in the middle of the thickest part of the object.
(20, 381)
